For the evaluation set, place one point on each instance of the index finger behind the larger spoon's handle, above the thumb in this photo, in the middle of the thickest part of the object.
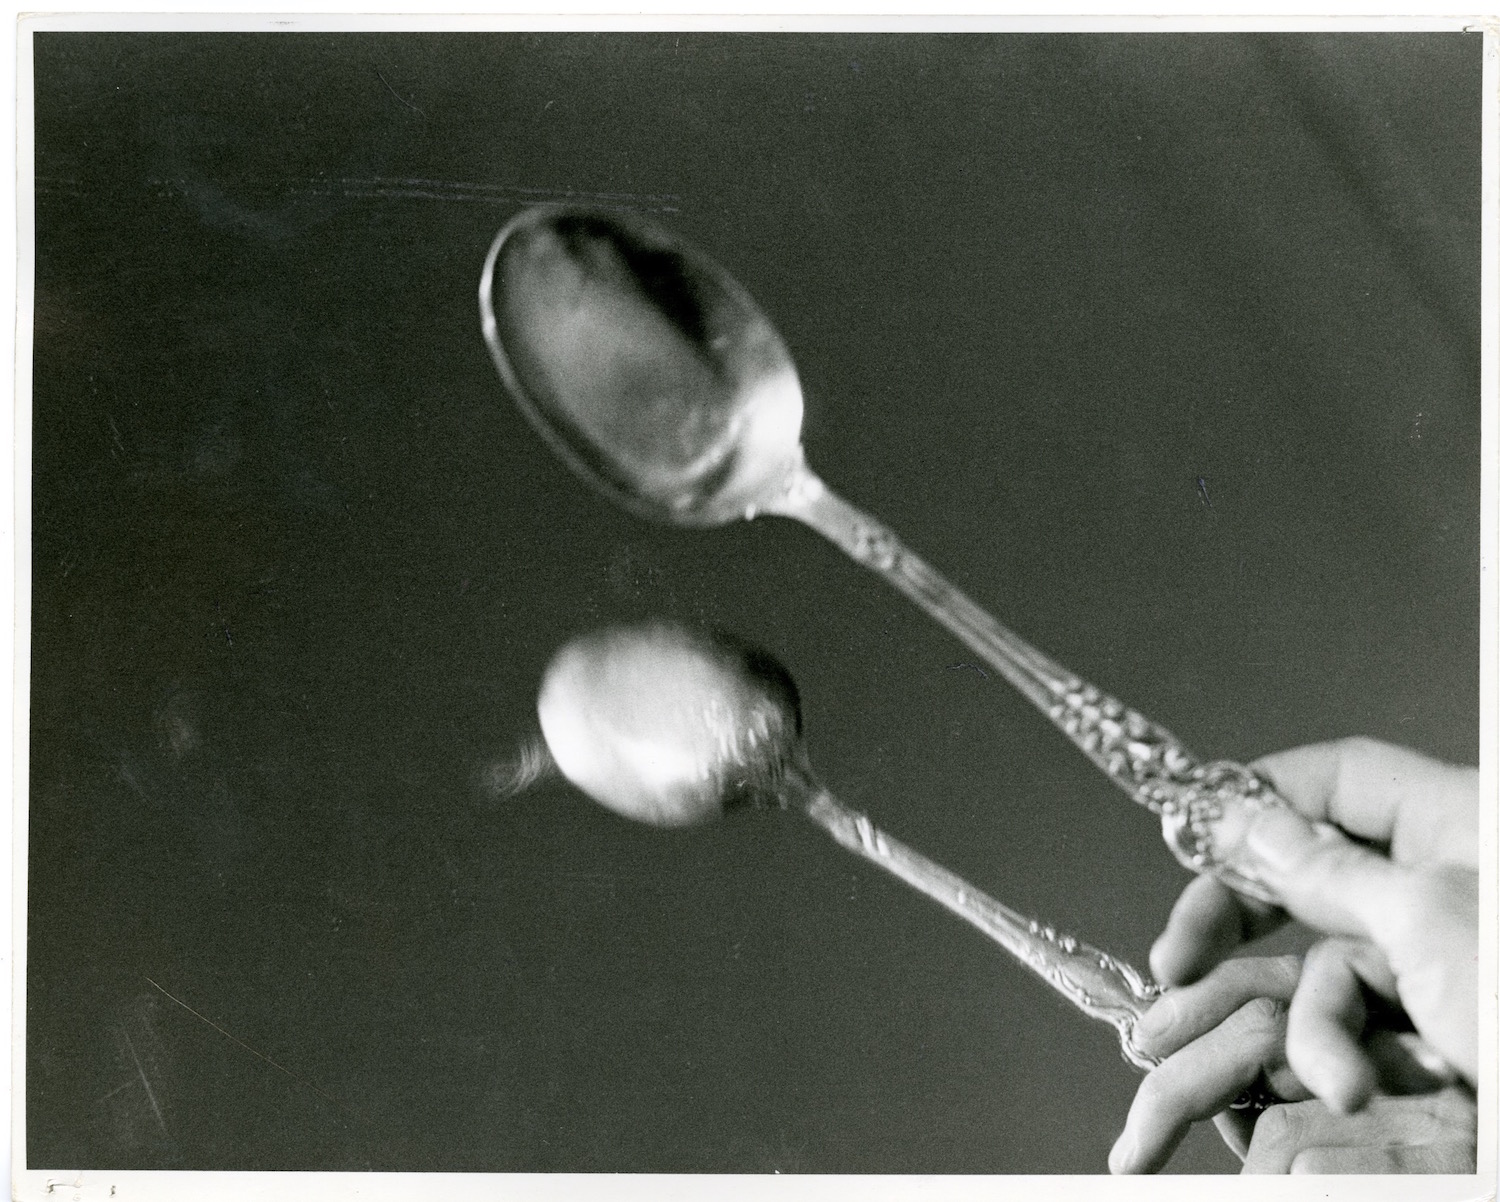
(1417, 807)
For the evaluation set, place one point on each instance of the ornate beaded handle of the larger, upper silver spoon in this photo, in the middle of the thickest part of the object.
(1204, 808)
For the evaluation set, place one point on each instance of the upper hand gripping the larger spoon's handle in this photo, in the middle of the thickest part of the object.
(1382, 853)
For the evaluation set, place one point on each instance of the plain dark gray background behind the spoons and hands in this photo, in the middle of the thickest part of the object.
(299, 565)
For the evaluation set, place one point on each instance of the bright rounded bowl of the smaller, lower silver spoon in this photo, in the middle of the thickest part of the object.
(668, 724)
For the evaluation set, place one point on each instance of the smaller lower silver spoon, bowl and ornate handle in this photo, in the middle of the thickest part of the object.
(674, 727)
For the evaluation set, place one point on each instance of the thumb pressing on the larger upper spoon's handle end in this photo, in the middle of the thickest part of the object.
(1327, 880)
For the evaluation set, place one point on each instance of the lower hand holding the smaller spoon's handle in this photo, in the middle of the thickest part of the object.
(1226, 1033)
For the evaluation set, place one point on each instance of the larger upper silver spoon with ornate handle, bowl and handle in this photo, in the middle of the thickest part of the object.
(661, 382)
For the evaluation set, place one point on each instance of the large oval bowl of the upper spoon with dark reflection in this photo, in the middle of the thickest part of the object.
(643, 364)
